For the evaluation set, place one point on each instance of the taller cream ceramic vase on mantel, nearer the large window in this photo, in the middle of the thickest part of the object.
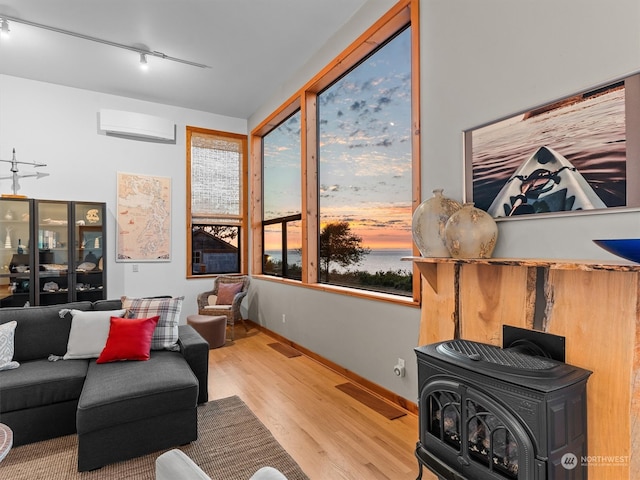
(428, 224)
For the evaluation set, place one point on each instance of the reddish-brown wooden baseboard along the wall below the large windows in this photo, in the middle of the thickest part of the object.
(374, 388)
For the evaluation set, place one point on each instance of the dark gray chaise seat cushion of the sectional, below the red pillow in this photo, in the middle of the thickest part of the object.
(121, 392)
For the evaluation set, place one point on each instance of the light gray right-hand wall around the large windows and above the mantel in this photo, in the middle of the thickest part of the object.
(480, 60)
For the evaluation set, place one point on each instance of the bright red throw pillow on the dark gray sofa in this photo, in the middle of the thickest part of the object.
(129, 339)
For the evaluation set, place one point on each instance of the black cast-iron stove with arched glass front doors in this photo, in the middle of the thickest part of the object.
(494, 413)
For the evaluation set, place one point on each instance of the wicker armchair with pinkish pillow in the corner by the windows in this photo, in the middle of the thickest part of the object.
(229, 292)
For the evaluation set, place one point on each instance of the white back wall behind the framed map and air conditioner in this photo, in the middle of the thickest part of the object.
(59, 126)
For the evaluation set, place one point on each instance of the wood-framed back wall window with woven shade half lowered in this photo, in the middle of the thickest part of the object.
(216, 192)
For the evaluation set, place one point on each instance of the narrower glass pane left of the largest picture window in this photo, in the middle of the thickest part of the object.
(282, 204)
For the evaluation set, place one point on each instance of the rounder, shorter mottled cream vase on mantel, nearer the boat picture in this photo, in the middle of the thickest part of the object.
(471, 233)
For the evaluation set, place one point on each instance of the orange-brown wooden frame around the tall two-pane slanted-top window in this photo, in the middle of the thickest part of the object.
(404, 13)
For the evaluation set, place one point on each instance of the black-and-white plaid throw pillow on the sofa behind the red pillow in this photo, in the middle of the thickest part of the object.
(165, 336)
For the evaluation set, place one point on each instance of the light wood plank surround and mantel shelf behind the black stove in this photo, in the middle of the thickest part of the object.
(594, 305)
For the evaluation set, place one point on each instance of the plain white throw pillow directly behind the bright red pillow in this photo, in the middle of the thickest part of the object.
(89, 332)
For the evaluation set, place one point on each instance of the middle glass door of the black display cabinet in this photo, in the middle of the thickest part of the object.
(53, 252)
